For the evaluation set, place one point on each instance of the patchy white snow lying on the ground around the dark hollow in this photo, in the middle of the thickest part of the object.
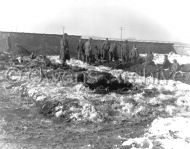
(167, 101)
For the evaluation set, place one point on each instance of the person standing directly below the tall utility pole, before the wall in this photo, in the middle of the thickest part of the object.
(125, 51)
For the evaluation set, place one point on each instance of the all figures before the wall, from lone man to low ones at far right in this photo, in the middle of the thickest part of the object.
(108, 52)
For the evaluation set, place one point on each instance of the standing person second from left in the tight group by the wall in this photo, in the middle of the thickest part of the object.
(88, 50)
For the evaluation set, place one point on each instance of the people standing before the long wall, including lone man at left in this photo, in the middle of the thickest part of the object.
(108, 51)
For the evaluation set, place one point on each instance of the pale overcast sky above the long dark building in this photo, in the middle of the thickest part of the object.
(163, 20)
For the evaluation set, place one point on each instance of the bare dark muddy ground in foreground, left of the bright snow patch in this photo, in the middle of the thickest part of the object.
(22, 126)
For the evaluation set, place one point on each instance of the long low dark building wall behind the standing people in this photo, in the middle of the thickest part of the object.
(49, 44)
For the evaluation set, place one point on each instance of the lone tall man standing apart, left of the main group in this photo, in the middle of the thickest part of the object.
(64, 51)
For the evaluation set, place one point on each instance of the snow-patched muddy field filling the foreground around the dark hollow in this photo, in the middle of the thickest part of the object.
(156, 116)
